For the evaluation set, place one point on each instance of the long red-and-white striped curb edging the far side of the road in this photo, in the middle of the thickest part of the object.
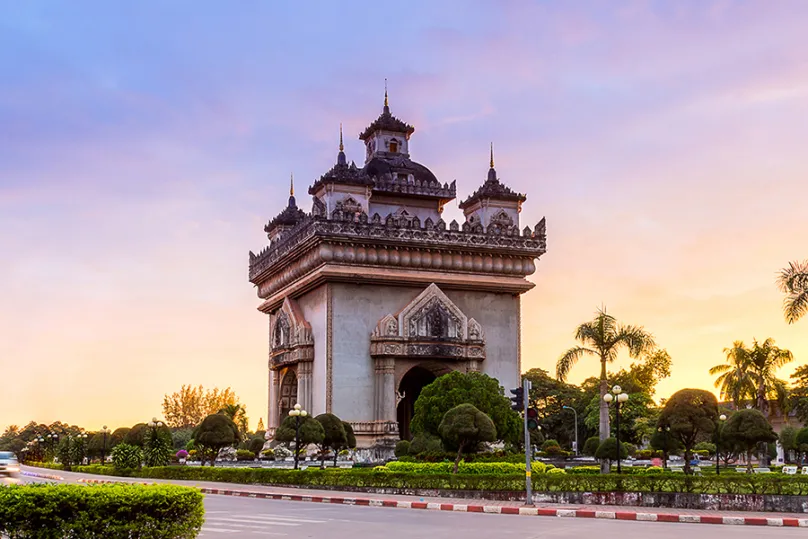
(528, 511)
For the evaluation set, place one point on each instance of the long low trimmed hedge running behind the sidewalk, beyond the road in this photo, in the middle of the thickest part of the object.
(542, 482)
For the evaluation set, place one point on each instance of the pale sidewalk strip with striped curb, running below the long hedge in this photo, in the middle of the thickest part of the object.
(661, 514)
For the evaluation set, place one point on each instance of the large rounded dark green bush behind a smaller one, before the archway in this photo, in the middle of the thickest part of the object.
(454, 388)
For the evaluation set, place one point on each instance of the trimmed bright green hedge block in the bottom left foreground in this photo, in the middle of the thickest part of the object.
(102, 511)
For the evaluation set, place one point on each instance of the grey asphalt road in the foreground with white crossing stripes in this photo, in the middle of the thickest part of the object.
(252, 518)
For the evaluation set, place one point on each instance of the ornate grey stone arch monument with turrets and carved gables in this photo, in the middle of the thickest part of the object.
(371, 294)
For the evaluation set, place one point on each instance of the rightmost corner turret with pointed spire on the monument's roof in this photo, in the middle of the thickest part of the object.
(493, 202)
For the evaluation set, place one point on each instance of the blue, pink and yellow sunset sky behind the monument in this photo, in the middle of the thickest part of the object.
(144, 145)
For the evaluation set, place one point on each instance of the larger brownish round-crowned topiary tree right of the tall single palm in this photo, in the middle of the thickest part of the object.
(690, 413)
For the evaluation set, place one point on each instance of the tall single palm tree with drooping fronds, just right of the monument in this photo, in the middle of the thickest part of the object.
(603, 338)
